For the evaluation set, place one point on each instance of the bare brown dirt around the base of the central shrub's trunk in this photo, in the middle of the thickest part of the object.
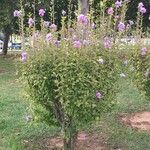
(85, 141)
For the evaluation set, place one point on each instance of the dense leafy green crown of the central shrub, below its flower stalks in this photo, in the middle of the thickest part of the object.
(70, 86)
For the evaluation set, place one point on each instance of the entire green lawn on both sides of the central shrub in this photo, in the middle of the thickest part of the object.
(14, 129)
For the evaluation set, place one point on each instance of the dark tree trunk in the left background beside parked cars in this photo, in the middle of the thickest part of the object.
(7, 33)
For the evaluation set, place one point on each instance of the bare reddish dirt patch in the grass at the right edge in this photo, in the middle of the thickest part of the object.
(139, 121)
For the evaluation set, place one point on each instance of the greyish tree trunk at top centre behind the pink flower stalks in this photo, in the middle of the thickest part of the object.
(84, 6)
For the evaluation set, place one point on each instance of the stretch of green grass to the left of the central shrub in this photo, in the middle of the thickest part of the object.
(13, 110)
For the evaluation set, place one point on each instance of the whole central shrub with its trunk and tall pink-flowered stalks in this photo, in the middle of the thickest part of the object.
(70, 83)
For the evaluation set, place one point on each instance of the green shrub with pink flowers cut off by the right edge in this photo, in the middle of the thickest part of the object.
(140, 60)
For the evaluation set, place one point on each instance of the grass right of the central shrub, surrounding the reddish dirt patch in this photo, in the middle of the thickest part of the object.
(120, 136)
